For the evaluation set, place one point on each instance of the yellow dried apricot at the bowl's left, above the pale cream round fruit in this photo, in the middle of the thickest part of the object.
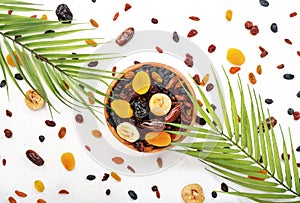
(122, 108)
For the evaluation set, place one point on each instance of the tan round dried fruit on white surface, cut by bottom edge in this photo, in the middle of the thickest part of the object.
(192, 193)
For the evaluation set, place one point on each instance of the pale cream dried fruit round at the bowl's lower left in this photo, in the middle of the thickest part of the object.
(128, 132)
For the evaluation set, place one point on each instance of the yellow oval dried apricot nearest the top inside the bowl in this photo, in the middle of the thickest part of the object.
(141, 82)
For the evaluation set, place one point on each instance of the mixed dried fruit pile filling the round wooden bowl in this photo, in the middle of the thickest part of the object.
(145, 98)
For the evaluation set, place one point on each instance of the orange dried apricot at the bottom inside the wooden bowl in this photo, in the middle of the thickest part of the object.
(158, 139)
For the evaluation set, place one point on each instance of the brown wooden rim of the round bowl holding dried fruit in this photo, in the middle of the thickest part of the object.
(183, 80)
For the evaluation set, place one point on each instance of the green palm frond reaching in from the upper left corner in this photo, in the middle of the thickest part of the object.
(42, 53)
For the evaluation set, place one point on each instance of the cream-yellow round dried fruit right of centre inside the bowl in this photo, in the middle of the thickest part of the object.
(160, 104)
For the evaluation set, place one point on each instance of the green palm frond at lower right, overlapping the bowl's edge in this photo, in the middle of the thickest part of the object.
(247, 154)
